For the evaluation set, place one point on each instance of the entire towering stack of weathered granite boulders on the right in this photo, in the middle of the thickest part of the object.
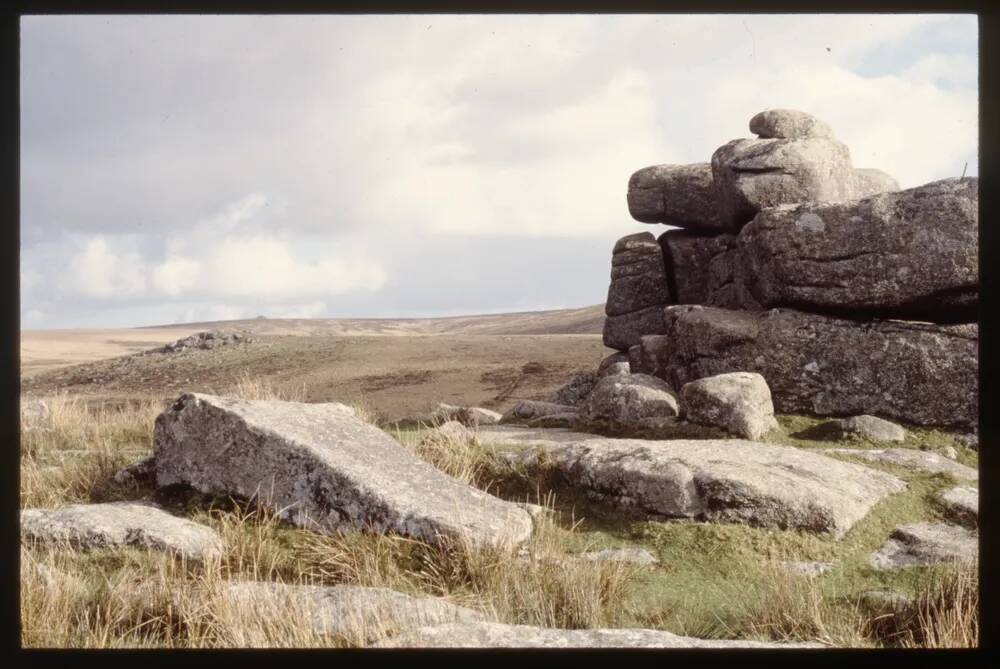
(845, 293)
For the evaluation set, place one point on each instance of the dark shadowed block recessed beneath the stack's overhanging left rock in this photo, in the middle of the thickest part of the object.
(698, 266)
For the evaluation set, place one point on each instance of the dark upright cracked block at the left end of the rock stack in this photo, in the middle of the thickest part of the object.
(637, 292)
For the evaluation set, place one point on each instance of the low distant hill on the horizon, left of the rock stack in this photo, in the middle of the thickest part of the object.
(585, 320)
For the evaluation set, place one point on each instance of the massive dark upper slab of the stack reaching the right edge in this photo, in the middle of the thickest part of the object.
(910, 254)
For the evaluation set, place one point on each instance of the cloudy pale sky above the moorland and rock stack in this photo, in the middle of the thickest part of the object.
(185, 168)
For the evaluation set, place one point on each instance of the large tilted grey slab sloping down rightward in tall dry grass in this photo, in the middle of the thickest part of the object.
(325, 469)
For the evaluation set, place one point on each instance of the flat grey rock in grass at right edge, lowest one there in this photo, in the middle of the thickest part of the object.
(925, 544)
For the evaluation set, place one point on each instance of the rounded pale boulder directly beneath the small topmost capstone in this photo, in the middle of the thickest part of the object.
(753, 174)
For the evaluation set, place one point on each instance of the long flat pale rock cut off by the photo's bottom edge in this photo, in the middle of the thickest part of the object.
(498, 635)
